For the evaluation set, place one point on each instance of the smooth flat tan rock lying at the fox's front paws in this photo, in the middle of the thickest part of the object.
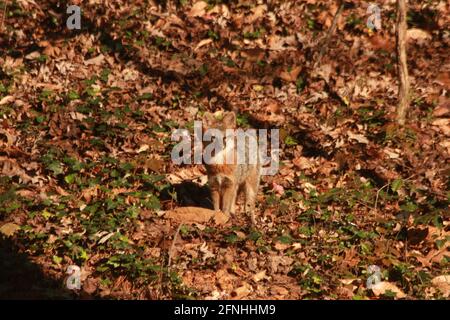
(196, 215)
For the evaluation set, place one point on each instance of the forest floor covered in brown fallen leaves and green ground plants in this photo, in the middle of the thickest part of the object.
(86, 179)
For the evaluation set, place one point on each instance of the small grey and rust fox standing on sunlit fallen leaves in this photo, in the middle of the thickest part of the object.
(227, 180)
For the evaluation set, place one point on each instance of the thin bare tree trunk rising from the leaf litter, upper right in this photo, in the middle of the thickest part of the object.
(403, 88)
